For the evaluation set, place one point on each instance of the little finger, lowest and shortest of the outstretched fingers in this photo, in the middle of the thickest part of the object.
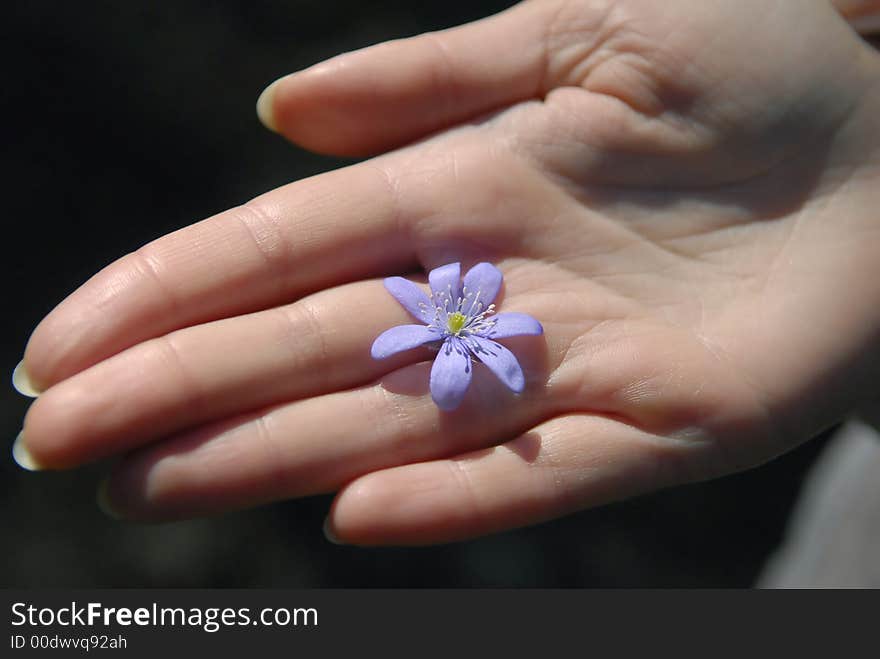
(560, 466)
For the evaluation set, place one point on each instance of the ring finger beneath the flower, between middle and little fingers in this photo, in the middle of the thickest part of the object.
(316, 445)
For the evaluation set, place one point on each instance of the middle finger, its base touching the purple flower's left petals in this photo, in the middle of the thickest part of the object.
(214, 370)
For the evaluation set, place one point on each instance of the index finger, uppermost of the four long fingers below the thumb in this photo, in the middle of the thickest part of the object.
(323, 231)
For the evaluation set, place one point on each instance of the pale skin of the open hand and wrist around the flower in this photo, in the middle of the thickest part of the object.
(683, 193)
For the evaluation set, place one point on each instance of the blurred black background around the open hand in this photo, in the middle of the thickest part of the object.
(125, 120)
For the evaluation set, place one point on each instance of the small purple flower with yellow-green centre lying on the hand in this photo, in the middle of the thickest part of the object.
(459, 317)
